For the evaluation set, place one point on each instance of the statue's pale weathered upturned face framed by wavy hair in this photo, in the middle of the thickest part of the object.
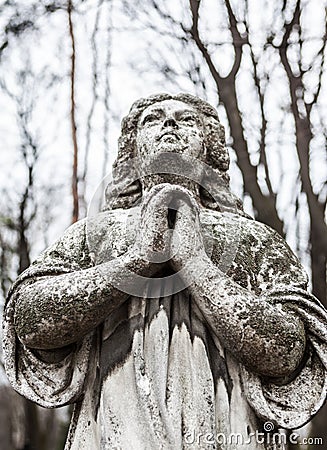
(170, 126)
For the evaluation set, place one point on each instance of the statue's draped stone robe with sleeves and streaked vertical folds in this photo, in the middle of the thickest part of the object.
(154, 375)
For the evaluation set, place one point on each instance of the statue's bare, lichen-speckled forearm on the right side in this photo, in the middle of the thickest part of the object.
(265, 338)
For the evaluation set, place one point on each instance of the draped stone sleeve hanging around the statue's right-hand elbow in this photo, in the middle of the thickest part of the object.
(291, 402)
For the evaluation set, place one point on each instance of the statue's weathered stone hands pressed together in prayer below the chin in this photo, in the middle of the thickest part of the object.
(170, 229)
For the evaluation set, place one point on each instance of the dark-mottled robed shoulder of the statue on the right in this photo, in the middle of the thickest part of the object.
(250, 252)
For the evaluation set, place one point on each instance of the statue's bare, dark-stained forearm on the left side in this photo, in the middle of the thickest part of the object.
(56, 311)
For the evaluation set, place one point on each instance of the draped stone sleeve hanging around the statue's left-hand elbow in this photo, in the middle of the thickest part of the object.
(55, 377)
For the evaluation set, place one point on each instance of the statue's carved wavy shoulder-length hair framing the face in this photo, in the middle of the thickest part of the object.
(216, 156)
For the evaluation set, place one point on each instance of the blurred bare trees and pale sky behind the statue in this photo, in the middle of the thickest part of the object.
(71, 69)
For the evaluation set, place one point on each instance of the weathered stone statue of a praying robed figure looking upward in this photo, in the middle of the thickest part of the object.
(135, 317)
